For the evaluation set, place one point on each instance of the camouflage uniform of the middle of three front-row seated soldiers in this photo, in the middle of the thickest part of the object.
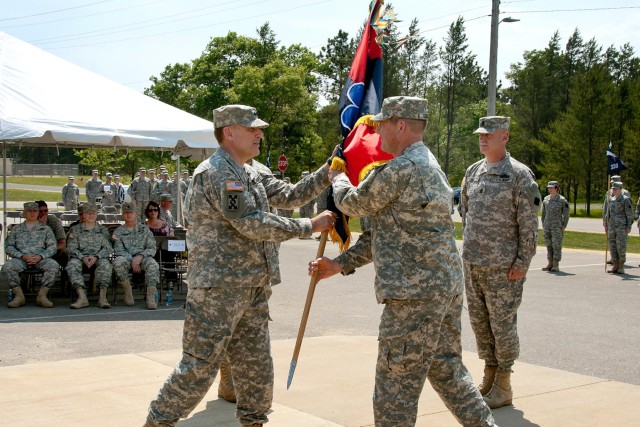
(85, 242)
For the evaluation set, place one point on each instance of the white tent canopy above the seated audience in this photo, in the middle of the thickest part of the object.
(47, 101)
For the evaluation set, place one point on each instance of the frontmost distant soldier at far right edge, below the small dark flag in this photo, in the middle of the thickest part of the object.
(619, 219)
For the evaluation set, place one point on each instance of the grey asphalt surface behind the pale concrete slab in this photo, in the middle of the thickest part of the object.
(581, 320)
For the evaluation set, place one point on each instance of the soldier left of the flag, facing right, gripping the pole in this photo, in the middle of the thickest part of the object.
(232, 260)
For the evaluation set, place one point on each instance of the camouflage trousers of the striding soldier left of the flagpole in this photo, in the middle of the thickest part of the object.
(234, 320)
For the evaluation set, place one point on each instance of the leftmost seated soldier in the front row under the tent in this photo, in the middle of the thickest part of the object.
(30, 244)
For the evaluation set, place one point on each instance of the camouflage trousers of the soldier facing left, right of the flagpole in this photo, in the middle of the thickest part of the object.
(420, 340)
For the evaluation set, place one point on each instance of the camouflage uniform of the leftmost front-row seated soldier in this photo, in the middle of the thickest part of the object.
(35, 240)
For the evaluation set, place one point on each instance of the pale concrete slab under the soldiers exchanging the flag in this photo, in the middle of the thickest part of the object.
(332, 386)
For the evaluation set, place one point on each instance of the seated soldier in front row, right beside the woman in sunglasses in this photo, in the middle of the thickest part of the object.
(134, 248)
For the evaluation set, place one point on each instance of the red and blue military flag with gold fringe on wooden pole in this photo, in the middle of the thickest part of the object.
(361, 98)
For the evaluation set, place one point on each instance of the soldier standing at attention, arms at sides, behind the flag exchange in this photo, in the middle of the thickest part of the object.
(499, 206)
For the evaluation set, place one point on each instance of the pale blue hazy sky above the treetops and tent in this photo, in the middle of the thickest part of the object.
(129, 41)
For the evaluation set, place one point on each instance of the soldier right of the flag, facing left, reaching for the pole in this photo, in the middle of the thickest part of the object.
(419, 275)
